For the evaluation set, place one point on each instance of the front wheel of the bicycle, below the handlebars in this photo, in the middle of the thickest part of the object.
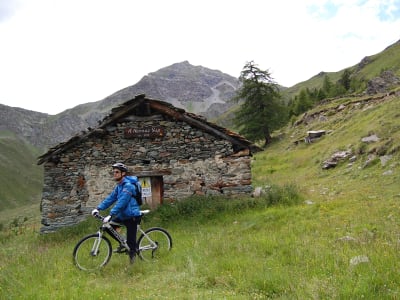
(92, 252)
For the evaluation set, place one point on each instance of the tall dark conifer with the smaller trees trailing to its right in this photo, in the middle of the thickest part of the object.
(262, 108)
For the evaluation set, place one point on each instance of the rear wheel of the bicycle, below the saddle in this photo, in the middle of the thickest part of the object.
(154, 243)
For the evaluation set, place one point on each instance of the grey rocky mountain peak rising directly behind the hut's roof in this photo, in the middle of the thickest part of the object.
(193, 88)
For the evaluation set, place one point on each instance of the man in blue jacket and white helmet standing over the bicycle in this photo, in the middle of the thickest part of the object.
(126, 209)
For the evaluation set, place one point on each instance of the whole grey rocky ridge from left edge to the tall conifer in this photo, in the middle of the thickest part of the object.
(194, 88)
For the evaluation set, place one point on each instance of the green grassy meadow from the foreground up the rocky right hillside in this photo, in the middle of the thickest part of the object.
(282, 252)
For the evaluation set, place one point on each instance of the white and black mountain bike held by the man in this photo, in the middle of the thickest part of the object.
(94, 251)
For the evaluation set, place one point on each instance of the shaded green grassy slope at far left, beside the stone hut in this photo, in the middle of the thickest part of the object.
(21, 180)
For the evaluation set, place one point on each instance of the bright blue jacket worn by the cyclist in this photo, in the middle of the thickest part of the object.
(124, 195)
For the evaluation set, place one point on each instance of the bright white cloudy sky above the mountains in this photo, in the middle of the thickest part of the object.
(56, 54)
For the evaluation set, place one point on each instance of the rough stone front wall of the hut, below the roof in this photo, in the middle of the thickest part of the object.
(195, 163)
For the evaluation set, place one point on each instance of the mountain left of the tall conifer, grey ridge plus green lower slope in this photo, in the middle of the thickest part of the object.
(25, 134)
